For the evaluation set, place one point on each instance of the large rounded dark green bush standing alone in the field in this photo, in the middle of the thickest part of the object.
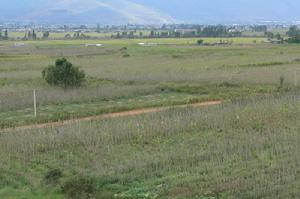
(63, 74)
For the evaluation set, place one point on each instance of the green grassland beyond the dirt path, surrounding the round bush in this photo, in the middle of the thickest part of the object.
(121, 73)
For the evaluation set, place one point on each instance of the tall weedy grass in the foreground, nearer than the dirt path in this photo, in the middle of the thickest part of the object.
(244, 149)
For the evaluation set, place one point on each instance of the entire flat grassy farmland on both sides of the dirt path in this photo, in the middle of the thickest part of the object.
(247, 147)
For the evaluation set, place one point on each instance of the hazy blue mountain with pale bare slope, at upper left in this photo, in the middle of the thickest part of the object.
(88, 11)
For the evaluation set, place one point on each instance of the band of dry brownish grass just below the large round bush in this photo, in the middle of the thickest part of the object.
(18, 100)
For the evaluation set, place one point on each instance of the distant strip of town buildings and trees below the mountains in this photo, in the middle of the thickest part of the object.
(16, 31)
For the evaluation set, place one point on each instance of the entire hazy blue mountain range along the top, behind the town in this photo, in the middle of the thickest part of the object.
(149, 11)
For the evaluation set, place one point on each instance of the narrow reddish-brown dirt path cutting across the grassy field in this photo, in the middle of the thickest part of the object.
(109, 115)
